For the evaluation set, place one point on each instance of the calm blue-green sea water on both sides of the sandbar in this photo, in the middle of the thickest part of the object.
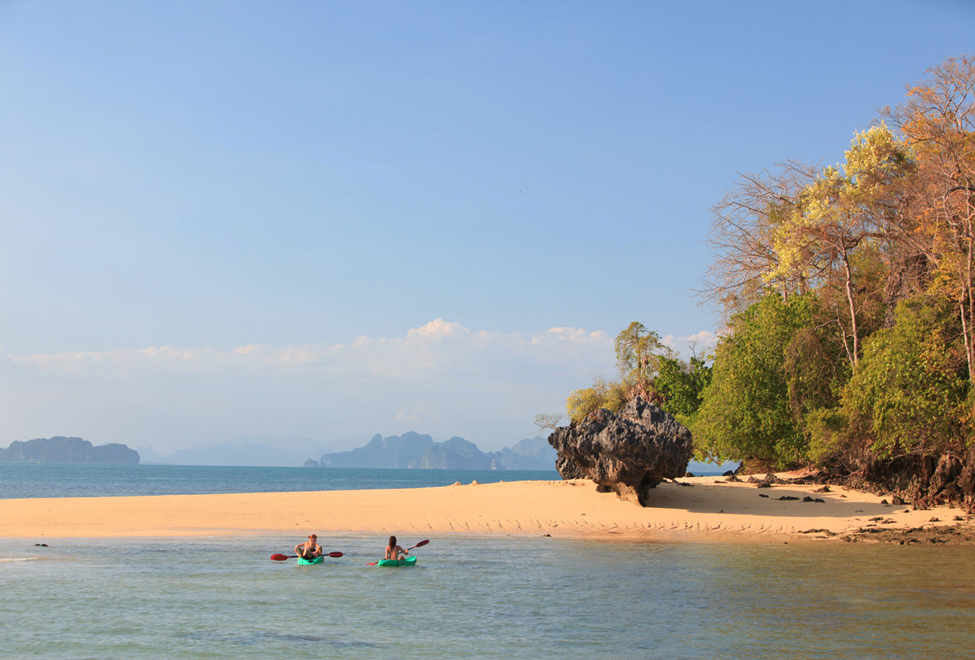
(467, 597)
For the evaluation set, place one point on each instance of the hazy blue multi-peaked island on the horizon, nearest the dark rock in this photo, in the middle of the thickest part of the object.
(415, 451)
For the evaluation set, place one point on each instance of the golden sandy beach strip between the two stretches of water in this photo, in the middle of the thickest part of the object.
(693, 509)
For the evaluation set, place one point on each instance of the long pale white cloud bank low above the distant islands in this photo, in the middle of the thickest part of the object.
(441, 378)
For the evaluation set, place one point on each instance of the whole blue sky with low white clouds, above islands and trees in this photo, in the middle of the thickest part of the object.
(316, 221)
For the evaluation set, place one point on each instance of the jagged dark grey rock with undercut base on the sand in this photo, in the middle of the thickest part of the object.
(628, 453)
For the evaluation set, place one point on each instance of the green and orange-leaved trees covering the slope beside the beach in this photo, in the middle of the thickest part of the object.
(847, 296)
